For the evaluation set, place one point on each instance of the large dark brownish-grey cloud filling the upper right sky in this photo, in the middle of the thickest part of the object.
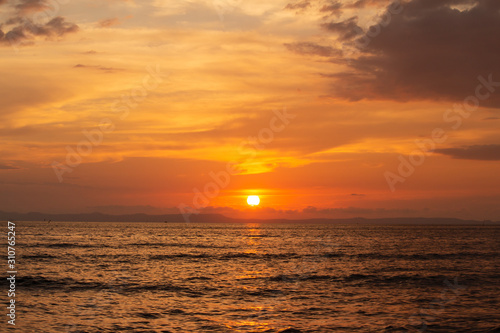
(431, 50)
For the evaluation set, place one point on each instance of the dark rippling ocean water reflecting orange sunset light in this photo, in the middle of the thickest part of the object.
(157, 277)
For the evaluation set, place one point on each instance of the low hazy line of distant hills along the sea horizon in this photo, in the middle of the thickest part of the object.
(218, 218)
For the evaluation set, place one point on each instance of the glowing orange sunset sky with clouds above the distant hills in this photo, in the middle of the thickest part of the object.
(323, 108)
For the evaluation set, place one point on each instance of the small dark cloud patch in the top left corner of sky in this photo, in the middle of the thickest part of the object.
(26, 25)
